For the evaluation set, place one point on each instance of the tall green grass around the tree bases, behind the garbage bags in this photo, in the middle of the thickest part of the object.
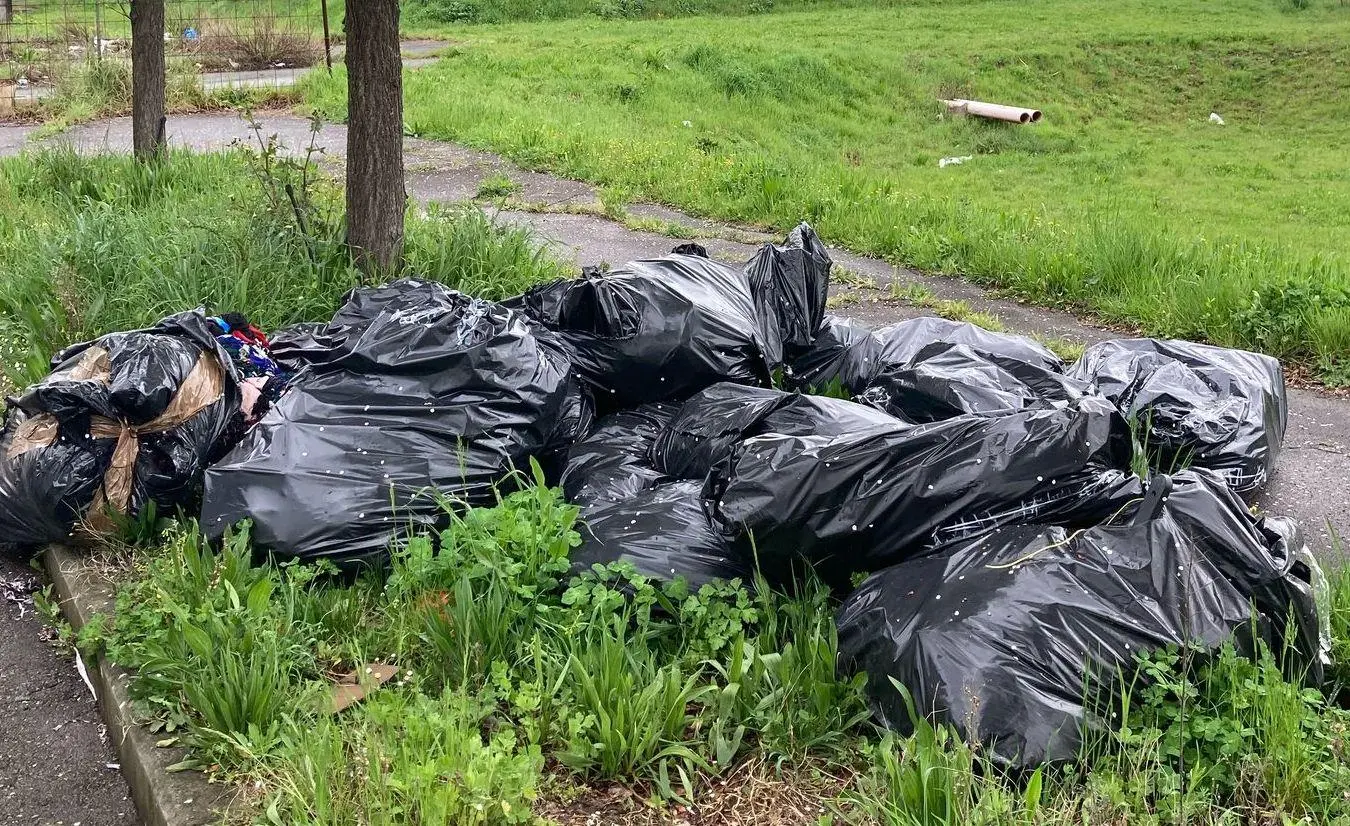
(92, 245)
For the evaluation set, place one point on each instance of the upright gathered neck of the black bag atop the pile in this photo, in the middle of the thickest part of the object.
(790, 284)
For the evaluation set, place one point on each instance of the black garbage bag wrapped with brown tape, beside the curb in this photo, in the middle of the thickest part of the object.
(122, 423)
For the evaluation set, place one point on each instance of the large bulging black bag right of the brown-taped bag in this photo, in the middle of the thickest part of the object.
(423, 391)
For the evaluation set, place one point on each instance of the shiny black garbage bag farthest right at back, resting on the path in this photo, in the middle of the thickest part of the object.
(1199, 406)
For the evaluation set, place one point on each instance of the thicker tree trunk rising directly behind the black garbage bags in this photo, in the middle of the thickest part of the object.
(376, 196)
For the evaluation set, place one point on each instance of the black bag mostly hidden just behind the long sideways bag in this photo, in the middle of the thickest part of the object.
(713, 422)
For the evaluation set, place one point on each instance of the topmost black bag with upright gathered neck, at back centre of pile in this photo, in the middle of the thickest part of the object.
(662, 330)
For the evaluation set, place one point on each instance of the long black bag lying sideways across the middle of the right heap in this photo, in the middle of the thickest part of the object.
(865, 500)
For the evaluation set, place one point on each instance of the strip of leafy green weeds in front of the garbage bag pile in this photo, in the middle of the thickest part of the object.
(520, 684)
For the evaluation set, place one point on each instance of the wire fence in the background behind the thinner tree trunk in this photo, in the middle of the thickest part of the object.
(214, 44)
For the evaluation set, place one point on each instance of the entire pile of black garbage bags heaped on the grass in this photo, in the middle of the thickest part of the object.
(712, 422)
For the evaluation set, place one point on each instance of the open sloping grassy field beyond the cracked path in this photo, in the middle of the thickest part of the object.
(1125, 202)
